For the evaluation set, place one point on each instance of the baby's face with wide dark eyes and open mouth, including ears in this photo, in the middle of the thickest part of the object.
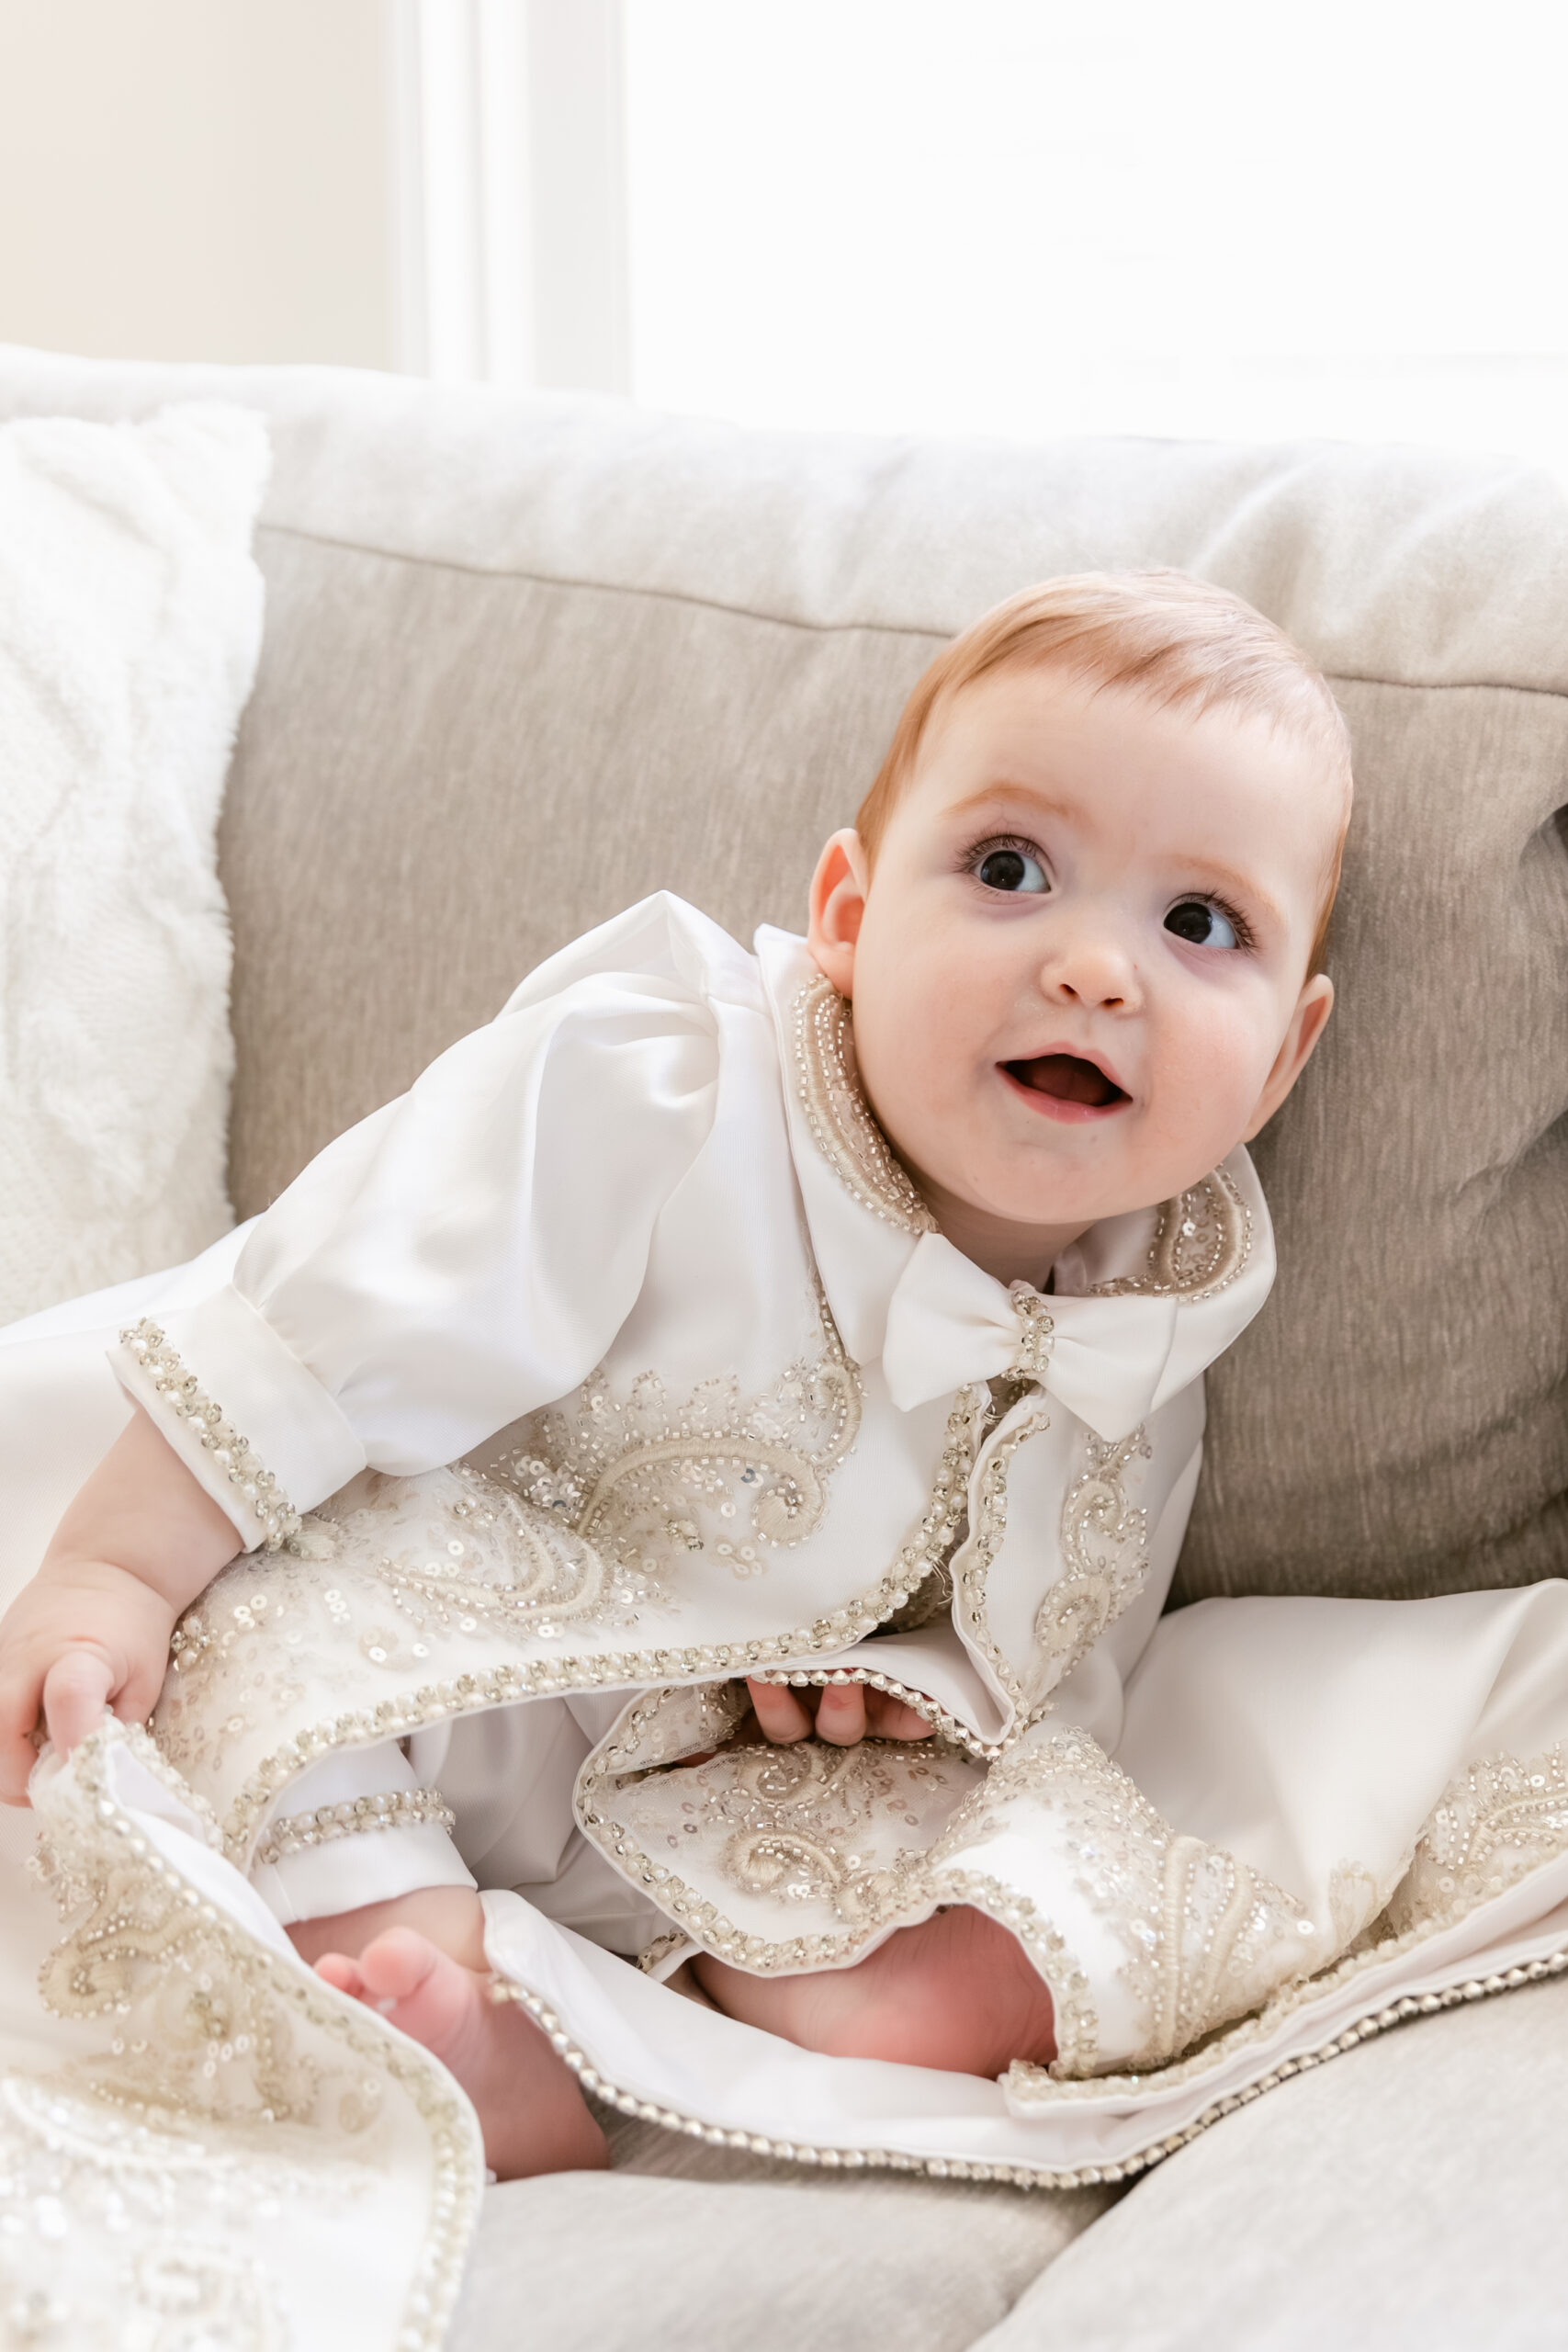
(1080, 963)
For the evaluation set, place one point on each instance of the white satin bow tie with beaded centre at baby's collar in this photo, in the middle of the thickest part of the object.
(1111, 1361)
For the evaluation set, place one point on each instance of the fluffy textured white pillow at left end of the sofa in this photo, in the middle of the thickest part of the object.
(130, 624)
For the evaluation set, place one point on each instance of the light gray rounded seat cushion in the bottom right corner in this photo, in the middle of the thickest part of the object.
(1407, 2198)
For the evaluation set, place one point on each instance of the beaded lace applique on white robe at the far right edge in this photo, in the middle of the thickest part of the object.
(1494, 1826)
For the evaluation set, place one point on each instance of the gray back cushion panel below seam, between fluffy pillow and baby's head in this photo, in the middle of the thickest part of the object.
(525, 761)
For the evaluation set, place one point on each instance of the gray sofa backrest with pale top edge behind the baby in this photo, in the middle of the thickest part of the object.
(535, 657)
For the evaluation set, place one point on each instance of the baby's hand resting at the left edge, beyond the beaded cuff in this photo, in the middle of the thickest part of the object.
(74, 1643)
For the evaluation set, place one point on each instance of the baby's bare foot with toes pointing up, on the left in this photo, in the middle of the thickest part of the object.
(530, 2106)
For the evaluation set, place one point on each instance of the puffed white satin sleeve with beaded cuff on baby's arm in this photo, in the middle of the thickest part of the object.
(464, 1255)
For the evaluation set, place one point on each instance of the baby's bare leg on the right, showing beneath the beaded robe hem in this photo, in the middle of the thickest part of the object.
(956, 1993)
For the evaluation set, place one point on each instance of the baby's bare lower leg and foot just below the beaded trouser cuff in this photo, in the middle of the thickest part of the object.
(420, 1960)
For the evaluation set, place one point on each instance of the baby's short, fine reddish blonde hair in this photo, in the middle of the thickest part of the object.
(1177, 641)
